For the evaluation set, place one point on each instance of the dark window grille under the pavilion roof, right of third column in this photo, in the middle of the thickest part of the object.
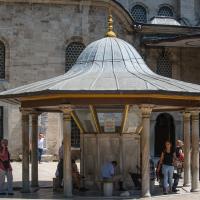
(75, 136)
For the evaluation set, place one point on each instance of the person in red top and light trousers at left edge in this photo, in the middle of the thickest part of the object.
(5, 168)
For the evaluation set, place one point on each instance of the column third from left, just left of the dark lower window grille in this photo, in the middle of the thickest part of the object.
(67, 172)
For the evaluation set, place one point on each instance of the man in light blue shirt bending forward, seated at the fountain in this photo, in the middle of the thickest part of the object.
(108, 173)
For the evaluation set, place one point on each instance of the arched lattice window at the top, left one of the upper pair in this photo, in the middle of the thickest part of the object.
(139, 14)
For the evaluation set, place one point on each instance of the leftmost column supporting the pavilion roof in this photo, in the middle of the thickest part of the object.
(25, 151)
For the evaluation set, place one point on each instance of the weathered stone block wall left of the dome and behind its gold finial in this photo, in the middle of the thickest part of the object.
(37, 34)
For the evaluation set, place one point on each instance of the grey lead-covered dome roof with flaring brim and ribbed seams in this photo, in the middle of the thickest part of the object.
(109, 64)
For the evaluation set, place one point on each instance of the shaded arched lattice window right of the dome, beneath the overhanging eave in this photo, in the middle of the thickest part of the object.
(164, 67)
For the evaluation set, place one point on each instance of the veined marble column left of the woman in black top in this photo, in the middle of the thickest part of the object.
(145, 150)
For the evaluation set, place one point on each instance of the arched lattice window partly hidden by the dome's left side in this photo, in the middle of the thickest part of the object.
(73, 50)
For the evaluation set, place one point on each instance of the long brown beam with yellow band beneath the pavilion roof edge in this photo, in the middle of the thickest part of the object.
(120, 99)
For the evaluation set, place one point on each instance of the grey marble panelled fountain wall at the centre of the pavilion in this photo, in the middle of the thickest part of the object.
(98, 149)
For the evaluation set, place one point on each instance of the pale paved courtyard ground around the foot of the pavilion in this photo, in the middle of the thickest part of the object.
(47, 172)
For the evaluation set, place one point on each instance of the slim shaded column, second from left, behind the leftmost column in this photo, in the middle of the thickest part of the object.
(34, 150)
